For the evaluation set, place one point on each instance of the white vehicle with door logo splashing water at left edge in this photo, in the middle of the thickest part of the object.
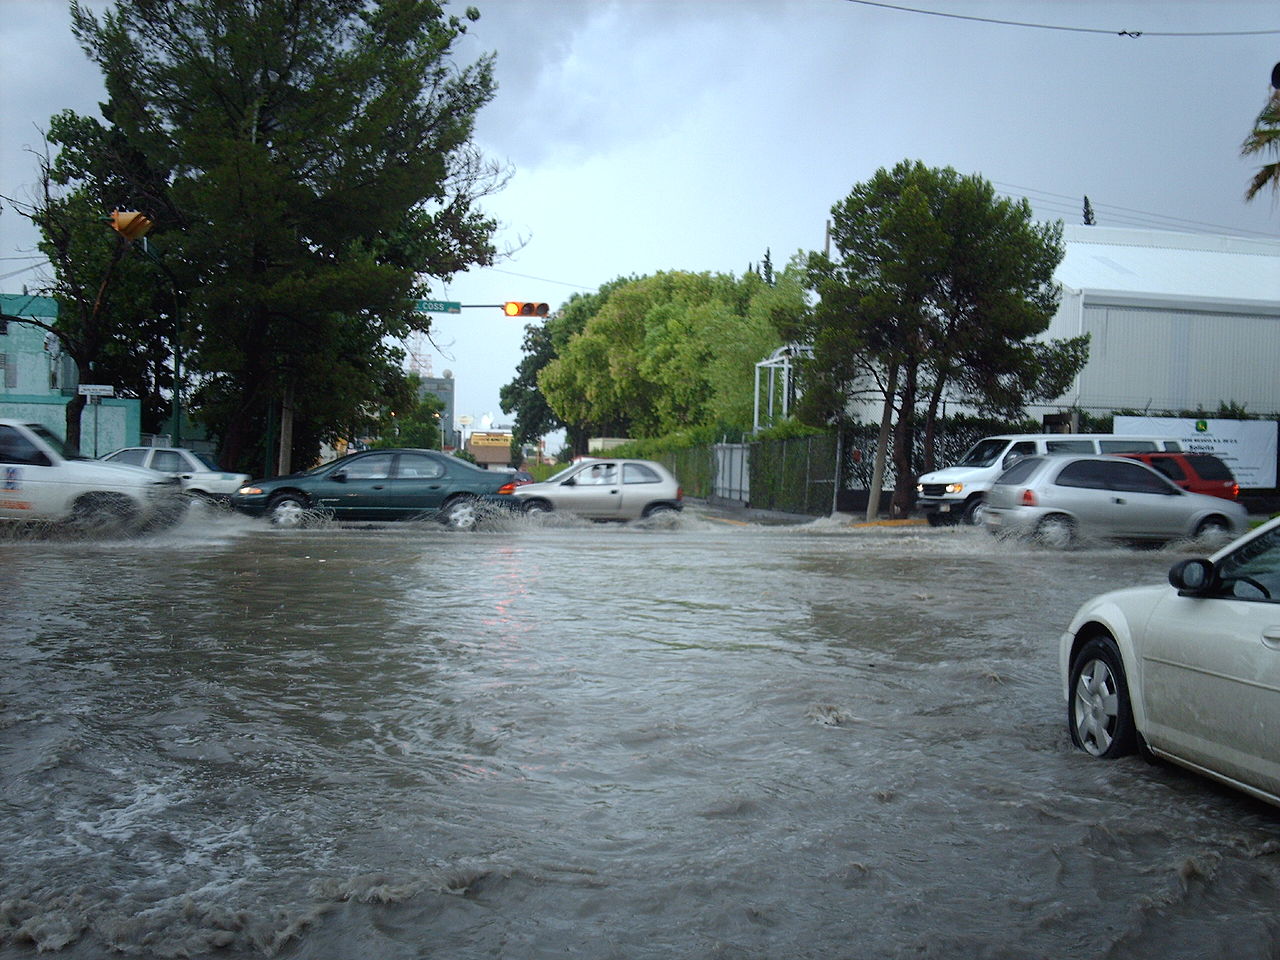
(45, 482)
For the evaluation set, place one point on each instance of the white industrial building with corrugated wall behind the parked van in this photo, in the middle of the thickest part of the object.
(1177, 321)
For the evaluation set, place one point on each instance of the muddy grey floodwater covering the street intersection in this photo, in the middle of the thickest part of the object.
(688, 740)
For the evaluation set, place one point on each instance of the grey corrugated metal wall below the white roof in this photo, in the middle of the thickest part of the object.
(1164, 359)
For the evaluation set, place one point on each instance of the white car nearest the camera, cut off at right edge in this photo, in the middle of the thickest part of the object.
(1190, 671)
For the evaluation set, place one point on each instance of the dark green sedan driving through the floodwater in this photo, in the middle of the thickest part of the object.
(390, 484)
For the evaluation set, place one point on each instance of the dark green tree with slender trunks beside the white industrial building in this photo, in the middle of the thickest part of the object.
(938, 290)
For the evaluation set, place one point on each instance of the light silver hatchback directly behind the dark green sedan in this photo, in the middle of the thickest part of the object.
(606, 490)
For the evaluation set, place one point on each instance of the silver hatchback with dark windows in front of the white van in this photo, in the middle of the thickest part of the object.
(1060, 499)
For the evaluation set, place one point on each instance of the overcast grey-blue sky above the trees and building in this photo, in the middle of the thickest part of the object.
(657, 135)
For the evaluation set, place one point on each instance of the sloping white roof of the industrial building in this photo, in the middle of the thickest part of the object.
(1130, 266)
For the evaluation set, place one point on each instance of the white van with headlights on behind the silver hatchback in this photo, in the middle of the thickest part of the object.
(957, 493)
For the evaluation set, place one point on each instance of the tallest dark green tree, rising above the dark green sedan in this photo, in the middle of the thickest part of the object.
(309, 166)
